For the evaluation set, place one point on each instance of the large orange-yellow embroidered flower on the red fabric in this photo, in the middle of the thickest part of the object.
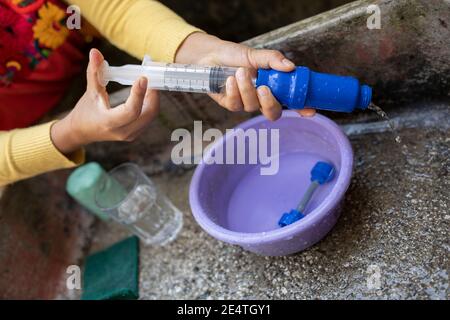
(50, 29)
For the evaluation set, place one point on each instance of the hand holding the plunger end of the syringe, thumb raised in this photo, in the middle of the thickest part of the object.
(93, 119)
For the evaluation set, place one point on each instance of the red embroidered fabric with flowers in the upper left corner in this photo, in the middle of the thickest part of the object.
(39, 56)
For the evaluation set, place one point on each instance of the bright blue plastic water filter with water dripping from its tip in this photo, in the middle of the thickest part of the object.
(305, 88)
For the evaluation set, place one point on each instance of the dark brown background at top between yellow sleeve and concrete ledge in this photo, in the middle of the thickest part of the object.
(239, 20)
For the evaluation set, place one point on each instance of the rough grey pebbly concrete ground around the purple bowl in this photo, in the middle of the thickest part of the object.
(395, 220)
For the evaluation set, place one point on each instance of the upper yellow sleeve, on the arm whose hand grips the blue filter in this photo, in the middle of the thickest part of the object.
(138, 27)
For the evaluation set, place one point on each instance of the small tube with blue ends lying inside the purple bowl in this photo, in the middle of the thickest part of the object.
(322, 173)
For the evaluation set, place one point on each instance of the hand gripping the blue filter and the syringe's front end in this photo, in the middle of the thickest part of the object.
(204, 49)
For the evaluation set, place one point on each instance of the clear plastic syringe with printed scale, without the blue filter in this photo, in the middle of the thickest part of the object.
(171, 76)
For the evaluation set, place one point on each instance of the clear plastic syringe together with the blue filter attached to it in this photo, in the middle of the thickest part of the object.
(295, 90)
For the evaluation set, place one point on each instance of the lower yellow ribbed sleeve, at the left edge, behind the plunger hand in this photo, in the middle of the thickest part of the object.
(28, 152)
